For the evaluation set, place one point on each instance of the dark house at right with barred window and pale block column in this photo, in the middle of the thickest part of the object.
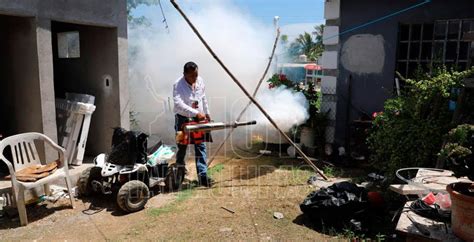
(368, 41)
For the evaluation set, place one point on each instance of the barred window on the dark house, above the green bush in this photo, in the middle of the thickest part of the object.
(430, 44)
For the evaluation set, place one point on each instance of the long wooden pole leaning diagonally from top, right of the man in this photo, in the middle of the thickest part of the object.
(298, 150)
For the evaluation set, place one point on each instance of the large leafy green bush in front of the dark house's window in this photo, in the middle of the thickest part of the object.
(409, 133)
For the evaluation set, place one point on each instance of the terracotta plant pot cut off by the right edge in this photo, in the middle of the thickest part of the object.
(462, 210)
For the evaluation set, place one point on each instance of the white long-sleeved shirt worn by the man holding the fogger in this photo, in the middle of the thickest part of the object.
(184, 95)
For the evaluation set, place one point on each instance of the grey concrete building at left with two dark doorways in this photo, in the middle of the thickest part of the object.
(52, 47)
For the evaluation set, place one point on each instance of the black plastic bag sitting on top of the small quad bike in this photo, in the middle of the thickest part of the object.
(128, 147)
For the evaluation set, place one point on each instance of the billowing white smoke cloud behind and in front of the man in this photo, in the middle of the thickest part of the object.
(242, 43)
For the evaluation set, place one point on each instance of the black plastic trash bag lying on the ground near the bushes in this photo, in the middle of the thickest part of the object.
(340, 205)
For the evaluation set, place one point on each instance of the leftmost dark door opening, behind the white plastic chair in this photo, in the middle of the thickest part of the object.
(20, 100)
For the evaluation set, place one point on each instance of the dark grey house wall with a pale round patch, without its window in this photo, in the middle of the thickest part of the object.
(368, 54)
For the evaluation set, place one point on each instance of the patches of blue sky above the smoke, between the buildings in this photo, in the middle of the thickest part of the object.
(296, 16)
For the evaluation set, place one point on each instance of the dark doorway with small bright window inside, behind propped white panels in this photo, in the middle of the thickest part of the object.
(85, 61)
